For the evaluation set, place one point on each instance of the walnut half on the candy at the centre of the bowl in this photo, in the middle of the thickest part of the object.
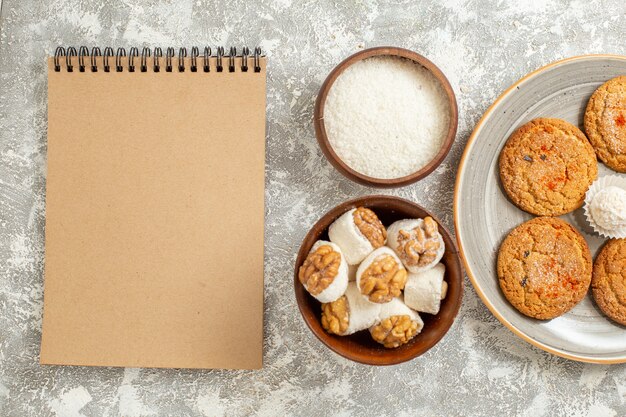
(383, 280)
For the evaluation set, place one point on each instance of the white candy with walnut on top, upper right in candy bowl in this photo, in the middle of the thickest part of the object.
(417, 242)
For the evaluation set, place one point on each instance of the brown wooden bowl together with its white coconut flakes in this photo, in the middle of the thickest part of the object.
(386, 117)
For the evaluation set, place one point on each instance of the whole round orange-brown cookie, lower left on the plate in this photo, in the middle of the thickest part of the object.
(544, 267)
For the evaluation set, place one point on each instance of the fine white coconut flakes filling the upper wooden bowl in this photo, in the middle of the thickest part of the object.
(386, 117)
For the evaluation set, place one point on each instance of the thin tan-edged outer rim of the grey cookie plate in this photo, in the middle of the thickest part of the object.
(460, 174)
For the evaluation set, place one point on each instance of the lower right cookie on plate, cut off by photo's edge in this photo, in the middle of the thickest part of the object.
(609, 280)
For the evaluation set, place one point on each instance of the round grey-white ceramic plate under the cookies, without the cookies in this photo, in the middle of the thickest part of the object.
(483, 215)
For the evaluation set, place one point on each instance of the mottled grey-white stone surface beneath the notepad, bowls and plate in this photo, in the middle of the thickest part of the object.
(479, 368)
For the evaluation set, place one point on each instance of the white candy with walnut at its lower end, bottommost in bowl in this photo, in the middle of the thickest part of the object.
(397, 325)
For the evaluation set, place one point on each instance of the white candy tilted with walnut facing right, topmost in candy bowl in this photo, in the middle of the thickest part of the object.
(357, 232)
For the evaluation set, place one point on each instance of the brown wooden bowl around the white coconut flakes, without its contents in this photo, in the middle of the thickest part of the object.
(327, 149)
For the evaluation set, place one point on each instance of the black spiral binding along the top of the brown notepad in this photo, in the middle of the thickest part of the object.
(107, 54)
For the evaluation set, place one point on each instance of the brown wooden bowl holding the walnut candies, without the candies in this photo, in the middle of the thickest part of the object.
(360, 347)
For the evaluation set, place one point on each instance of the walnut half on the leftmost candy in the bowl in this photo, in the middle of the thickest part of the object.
(319, 269)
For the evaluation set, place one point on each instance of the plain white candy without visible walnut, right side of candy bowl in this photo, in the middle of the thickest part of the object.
(425, 290)
